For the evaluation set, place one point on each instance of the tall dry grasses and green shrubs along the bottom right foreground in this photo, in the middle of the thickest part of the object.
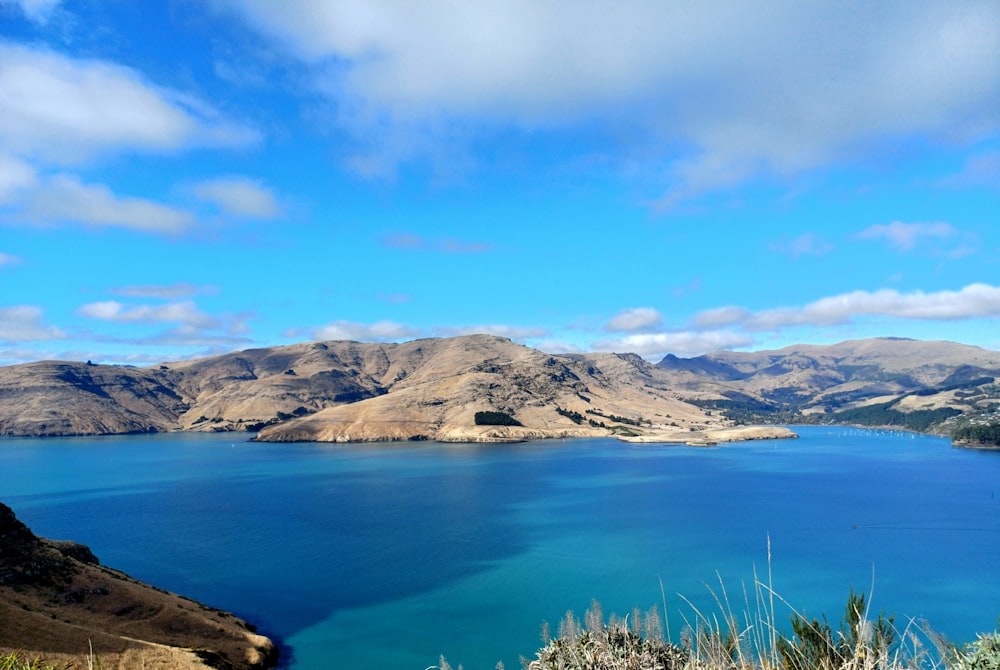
(725, 641)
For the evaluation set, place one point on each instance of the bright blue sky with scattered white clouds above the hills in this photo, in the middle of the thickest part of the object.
(181, 178)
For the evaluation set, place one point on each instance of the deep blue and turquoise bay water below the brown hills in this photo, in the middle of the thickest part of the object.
(387, 556)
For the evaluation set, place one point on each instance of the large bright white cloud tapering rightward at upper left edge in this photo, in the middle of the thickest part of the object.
(65, 110)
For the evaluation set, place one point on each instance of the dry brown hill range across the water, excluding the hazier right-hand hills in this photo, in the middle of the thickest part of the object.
(429, 388)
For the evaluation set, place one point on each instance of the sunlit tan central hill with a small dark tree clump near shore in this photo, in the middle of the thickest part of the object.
(433, 389)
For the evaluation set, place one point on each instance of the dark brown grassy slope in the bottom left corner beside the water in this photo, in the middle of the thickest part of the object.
(58, 603)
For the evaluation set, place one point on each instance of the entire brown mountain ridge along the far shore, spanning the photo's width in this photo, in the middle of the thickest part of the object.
(432, 389)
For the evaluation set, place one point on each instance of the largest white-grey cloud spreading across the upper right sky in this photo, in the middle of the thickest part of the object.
(751, 88)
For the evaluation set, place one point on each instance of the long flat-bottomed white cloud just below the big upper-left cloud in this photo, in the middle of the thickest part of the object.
(64, 199)
